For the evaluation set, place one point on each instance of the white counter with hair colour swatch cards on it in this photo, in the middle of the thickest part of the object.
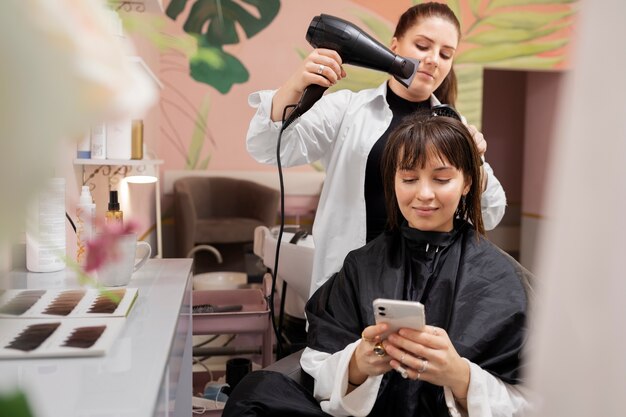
(146, 373)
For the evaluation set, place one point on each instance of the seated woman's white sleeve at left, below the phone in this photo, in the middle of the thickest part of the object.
(331, 382)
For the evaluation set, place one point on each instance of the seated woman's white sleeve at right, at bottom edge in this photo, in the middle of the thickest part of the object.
(488, 396)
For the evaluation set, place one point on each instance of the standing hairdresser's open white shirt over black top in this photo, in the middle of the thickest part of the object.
(339, 131)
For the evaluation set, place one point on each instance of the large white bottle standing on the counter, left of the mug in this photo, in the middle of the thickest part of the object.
(45, 229)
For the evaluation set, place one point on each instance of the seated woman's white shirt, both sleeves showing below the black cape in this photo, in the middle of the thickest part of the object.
(487, 396)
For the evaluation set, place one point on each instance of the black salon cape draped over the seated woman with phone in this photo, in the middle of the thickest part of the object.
(468, 287)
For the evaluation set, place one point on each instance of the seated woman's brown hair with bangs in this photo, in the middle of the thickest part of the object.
(421, 136)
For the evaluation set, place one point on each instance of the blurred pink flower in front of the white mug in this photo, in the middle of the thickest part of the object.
(103, 247)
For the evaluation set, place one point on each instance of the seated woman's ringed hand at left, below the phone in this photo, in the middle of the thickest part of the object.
(364, 361)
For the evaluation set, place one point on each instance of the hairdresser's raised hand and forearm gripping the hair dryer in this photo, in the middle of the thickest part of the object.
(308, 73)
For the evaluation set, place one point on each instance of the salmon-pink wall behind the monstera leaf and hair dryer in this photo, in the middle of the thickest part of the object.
(270, 57)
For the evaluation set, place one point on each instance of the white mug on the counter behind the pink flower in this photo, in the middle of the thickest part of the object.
(117, 272)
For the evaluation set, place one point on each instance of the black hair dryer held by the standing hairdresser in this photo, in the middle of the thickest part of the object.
(355, 47)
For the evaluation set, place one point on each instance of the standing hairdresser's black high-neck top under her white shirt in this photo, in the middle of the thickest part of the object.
(375, 209)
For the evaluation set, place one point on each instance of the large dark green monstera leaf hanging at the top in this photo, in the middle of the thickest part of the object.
(213, 23)
